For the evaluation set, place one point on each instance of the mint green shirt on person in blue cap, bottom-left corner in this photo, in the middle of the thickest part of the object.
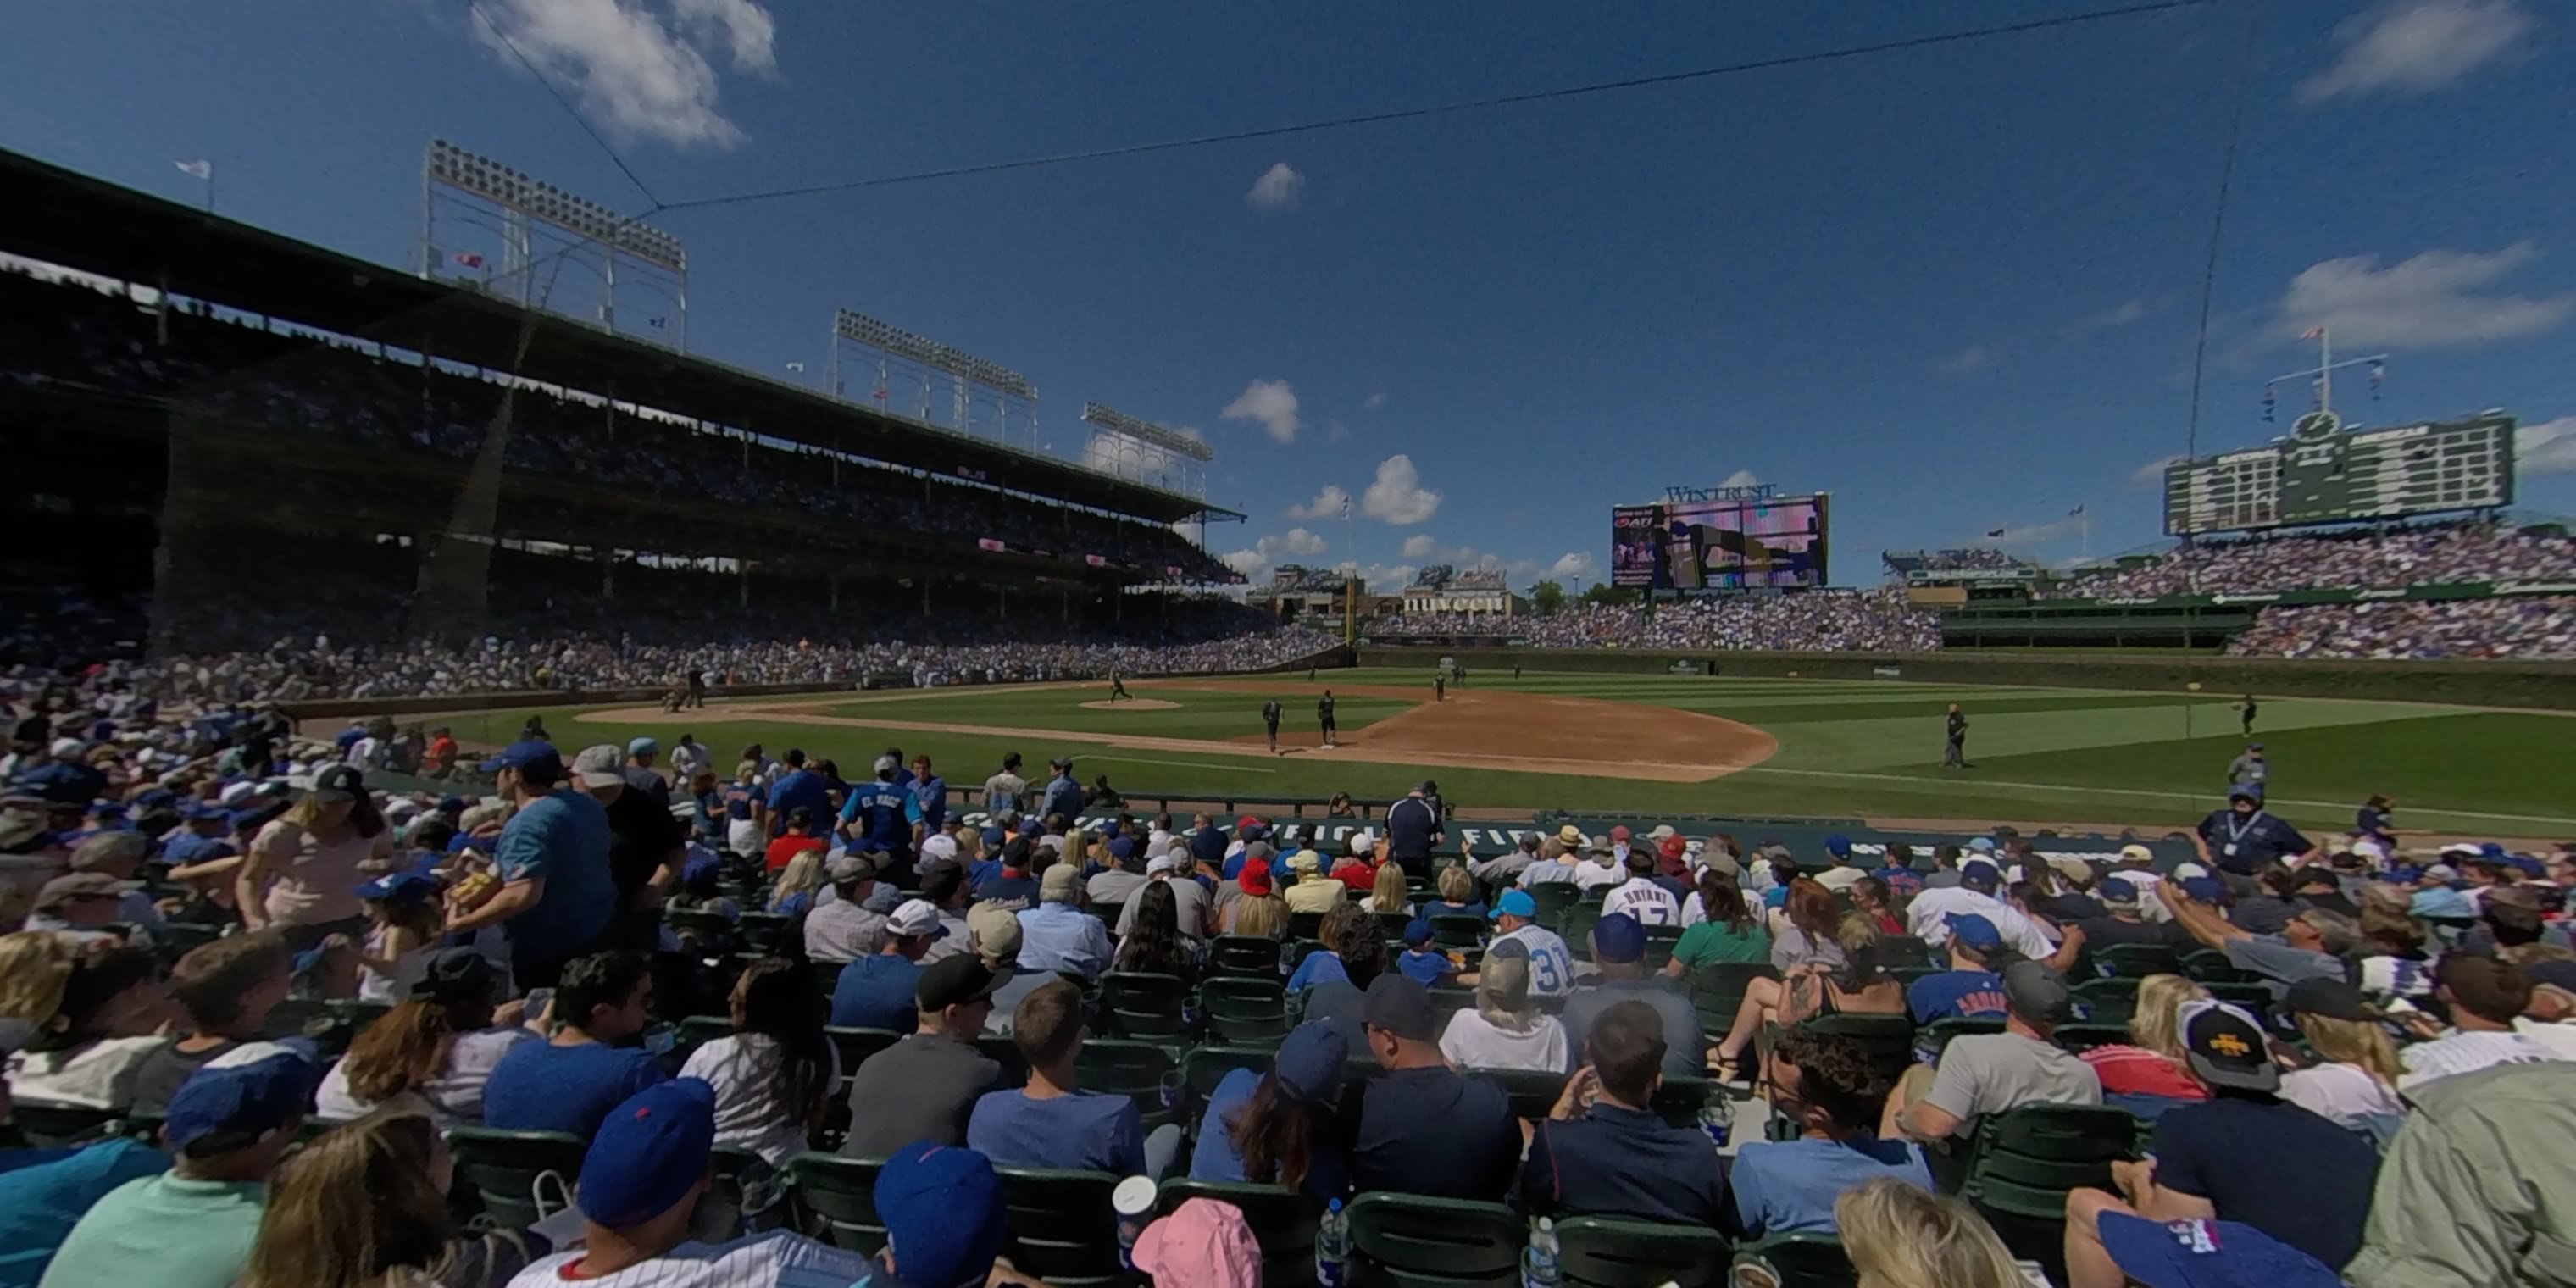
(164, 1233)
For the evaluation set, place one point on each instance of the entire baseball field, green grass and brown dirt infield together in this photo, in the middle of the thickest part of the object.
(1683, 746)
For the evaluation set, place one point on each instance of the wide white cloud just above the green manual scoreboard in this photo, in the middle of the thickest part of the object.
(2430, 300)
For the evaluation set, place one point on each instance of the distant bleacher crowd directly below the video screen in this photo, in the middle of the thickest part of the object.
(1823, 622)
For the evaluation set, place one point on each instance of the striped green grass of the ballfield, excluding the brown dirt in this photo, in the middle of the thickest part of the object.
(1848, 748)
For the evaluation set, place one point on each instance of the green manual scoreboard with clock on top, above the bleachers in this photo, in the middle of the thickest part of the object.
(2325, 473)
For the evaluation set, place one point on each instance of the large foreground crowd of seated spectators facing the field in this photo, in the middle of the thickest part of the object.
(653, 1021)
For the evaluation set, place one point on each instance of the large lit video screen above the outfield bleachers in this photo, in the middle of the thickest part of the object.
(1719, 545)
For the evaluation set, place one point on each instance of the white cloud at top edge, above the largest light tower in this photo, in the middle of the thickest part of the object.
(640, 71)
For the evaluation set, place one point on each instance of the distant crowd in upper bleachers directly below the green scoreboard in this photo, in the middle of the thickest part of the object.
(2343, 560)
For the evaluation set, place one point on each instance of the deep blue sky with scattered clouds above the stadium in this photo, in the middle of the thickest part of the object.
(1954, 287)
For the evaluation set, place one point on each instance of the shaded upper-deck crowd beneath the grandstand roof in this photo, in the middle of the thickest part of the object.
(310, 385)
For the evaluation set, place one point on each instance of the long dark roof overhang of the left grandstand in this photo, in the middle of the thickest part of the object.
(99, 228)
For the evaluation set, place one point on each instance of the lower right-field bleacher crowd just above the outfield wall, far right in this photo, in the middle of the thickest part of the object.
(2521, 627)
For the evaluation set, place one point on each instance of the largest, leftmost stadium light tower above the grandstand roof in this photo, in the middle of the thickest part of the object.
(511, 236)
